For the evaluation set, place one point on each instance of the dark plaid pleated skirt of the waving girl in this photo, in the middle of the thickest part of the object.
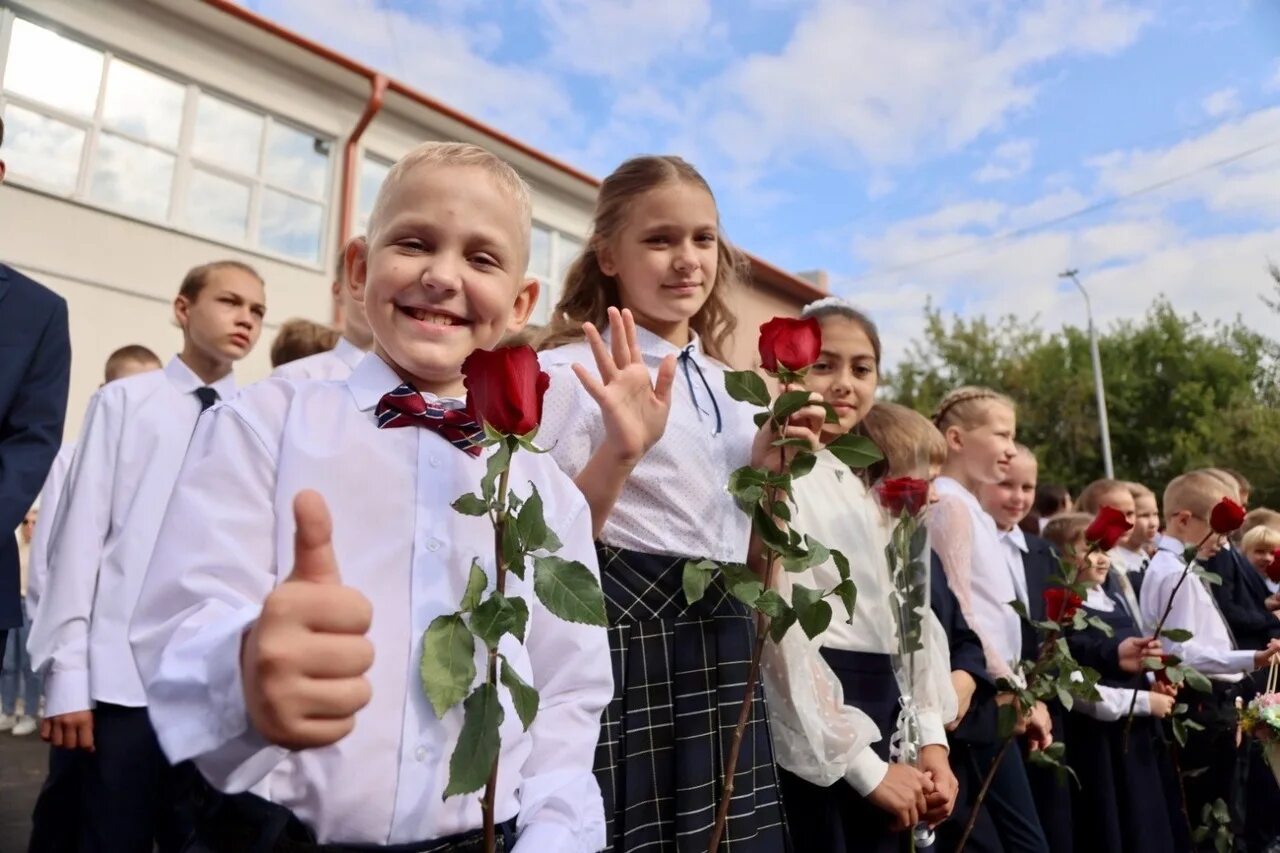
(679, 676)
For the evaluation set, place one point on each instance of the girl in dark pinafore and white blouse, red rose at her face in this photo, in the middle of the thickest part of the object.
(1122, 799)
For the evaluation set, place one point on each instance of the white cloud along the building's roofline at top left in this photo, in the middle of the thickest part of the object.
(444, 56)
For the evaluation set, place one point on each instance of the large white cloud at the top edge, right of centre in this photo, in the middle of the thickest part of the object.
(894, 81)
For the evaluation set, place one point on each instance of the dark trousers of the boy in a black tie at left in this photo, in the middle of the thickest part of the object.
(131, 800)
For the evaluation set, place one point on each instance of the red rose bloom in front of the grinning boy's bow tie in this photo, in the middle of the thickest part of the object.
(505, 389)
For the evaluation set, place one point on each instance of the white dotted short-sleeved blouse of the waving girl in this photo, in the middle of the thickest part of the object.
(676, 501)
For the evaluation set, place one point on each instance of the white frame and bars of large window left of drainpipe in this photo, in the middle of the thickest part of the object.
(186, 162)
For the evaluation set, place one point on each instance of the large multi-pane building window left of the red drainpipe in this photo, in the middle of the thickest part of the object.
(92, 126)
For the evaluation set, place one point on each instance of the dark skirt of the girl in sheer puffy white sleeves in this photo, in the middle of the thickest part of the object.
(838, 819)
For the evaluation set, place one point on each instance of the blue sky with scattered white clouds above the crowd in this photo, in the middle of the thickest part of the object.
(867, 138)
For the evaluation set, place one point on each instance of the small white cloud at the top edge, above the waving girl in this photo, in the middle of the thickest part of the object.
(627, 38)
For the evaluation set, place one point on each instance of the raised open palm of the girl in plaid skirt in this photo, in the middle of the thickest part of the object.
(633, 407)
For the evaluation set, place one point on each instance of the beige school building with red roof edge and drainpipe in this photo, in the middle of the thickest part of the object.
(144, 138)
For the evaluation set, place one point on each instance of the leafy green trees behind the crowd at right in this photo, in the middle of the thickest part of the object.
(1182, 394)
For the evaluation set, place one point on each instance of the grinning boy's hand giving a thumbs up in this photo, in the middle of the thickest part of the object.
(304, 662)
